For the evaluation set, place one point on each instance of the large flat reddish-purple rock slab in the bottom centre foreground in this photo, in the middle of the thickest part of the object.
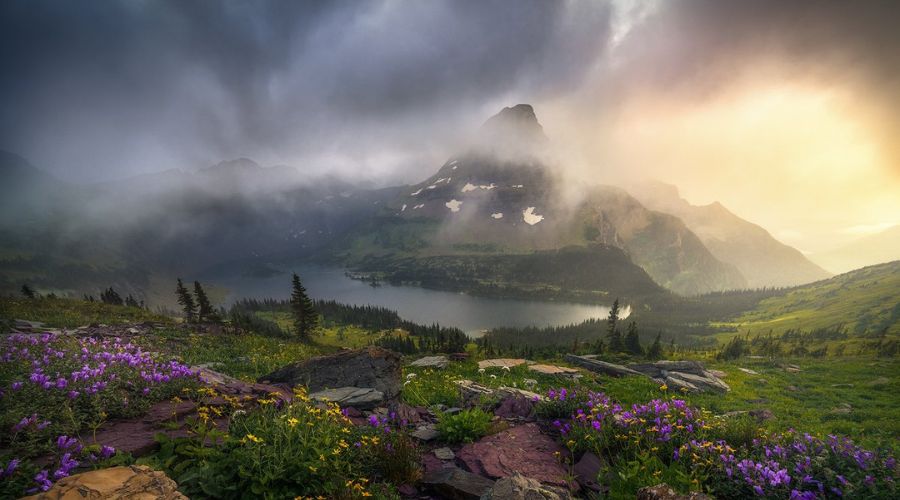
(522, 449)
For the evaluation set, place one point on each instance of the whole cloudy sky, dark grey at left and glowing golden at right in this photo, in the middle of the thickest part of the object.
(786, 112)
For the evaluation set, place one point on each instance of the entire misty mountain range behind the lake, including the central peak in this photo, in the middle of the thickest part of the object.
(497, 218)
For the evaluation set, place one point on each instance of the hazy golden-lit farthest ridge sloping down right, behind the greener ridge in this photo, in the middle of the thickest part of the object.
(761, 259)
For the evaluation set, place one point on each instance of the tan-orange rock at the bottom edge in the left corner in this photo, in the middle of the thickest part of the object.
(134, 482)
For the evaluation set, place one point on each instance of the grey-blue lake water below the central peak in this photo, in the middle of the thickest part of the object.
(467, 312)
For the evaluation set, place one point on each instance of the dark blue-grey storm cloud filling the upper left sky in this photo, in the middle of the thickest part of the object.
(102, 89)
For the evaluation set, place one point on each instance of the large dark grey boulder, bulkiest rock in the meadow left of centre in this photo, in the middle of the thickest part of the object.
(372, 368)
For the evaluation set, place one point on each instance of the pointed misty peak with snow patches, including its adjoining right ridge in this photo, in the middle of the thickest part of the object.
(500, 197)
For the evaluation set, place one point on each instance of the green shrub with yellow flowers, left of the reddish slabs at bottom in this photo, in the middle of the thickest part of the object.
(300, 450)
